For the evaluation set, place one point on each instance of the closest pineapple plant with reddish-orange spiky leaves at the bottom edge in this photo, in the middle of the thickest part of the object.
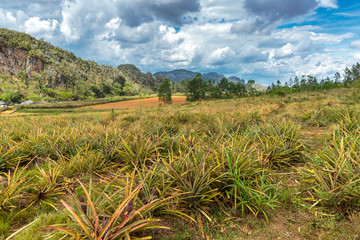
(100, 223)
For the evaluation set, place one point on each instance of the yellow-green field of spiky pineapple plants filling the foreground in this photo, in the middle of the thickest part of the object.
(252, 168)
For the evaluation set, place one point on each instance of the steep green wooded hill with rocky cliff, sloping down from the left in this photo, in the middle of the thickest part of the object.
(30, 67)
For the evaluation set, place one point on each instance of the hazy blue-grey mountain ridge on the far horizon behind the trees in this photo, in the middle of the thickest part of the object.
(181, 74)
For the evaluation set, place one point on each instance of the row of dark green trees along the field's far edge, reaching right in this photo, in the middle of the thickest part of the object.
(198, 89)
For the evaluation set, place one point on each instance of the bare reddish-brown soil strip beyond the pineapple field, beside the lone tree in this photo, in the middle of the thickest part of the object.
(136, 103)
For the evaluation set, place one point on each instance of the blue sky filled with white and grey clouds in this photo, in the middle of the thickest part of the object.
(265, 40)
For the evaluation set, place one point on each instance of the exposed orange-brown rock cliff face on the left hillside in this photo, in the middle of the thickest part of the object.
(13, 60)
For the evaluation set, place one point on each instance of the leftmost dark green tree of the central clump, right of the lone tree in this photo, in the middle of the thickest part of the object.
(196, 88)
